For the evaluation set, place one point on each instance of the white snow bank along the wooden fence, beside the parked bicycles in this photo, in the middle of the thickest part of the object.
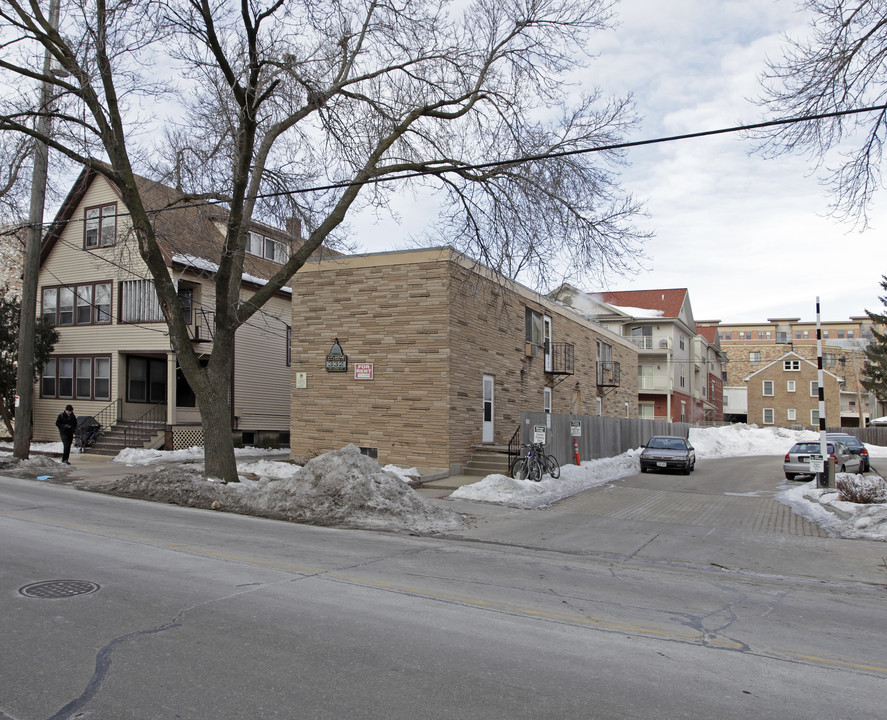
(530, 495)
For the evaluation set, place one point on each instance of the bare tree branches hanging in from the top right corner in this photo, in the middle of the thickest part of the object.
(840, 66)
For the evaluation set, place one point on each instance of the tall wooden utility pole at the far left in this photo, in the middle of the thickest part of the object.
(24, 379)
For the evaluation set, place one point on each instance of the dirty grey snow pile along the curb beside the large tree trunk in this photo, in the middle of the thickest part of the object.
(342, 488)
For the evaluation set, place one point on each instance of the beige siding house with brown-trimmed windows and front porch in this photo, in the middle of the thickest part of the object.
(114, 359)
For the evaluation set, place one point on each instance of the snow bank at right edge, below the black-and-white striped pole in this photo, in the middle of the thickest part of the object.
(824, 507)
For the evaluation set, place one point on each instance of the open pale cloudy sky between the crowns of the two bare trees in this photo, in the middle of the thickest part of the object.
(748, 236)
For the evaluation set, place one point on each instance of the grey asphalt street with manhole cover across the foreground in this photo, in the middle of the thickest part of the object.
(204, 615)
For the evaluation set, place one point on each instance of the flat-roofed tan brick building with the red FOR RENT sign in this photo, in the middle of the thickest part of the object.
(434, 354)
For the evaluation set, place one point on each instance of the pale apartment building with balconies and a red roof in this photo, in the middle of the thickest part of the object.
(680, 368)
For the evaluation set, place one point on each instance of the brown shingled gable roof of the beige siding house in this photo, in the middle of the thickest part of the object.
(183, 229)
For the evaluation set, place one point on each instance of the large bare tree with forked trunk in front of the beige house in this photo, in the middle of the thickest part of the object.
(315, 108)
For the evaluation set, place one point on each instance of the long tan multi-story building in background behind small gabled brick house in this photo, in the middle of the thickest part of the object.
(751, 347)
